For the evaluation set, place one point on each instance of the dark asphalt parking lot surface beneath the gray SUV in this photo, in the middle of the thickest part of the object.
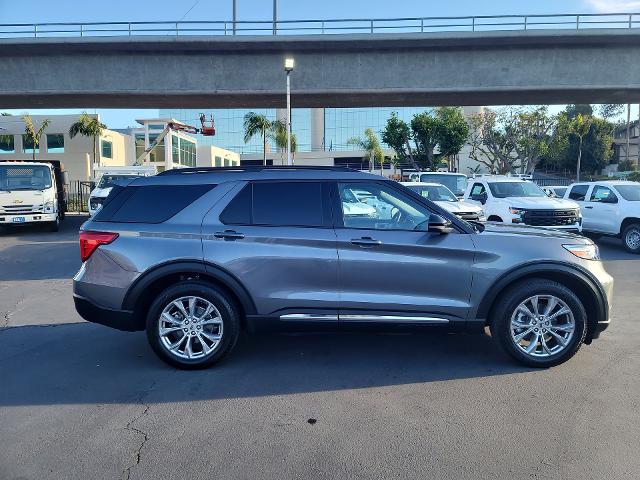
(81, 401)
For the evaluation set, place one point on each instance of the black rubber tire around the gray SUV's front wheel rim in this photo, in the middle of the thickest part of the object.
(506, 306)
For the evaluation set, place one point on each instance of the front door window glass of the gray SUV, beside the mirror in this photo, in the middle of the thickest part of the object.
(375, 206)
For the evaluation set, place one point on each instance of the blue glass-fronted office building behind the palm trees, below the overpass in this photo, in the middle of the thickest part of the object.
(333, 126)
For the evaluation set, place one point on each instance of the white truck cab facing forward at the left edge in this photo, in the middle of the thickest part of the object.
(32, 192)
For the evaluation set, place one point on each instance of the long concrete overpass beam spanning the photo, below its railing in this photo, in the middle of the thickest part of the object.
(464, 68)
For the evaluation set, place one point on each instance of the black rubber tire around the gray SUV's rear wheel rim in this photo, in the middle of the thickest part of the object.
(228, 312)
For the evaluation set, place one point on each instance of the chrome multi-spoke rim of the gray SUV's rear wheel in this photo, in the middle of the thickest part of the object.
(190, 327)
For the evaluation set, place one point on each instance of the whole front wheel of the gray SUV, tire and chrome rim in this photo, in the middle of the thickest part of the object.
(539, 322)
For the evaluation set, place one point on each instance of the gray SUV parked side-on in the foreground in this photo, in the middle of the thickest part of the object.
(195, 256)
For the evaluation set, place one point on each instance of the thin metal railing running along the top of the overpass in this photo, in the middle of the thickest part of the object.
(481, 23)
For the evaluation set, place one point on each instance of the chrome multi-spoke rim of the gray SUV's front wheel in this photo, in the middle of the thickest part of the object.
(542, 325)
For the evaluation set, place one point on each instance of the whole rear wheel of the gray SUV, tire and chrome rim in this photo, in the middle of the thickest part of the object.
(192, 325)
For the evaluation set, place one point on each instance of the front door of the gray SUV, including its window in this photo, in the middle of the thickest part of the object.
(390, 266)
